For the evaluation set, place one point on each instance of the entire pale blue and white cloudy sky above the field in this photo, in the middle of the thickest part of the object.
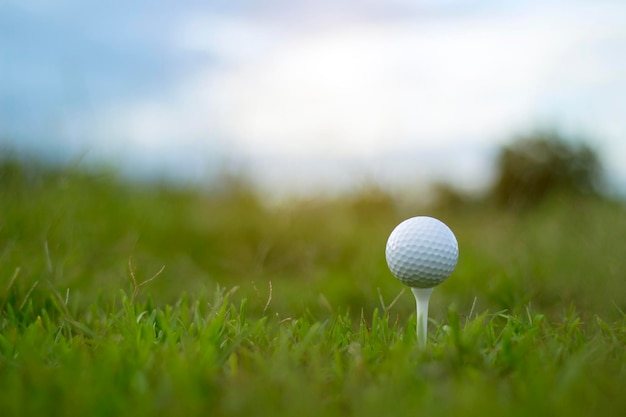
(306, 95)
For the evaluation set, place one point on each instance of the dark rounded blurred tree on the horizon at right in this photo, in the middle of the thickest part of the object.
(543, 163)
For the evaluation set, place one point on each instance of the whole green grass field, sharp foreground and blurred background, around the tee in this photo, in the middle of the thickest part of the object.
(289, 309)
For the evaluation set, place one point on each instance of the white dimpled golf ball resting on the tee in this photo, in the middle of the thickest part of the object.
(422, 252)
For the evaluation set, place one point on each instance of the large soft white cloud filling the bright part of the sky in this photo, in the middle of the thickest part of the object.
(362, 89)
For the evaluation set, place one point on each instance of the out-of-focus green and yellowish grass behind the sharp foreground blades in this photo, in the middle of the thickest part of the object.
(77, 231)
